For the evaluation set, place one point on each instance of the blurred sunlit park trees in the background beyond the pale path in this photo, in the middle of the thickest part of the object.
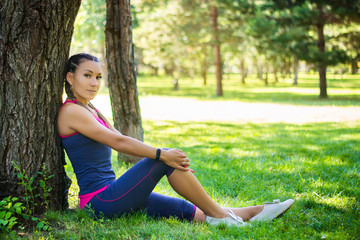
(247, 42)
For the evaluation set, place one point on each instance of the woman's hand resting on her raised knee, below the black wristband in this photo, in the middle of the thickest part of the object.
(175, 158)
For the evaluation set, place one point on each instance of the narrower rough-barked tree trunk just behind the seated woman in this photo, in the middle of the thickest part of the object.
(122, 77)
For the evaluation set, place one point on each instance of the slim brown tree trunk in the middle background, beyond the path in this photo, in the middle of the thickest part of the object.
(218, 65)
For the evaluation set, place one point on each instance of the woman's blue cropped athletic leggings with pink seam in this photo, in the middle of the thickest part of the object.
(133, 191)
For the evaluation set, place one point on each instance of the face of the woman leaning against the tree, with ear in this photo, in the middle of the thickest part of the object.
(85, 81)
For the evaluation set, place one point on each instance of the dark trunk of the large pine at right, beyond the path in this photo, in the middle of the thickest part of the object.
(321, 46)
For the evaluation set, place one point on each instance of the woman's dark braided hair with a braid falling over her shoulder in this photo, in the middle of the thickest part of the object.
(71, 66)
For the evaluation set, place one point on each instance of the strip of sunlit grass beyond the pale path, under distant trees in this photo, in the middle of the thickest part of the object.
(342, 91)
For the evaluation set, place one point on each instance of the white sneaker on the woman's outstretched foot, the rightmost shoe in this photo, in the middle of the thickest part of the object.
(273, 210)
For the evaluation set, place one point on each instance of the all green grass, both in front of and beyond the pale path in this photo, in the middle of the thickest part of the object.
(243, 164)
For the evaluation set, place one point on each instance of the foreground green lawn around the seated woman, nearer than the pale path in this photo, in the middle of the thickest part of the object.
(243, 164)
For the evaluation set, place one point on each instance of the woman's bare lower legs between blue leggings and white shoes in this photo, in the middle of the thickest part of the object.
(187, 185)
